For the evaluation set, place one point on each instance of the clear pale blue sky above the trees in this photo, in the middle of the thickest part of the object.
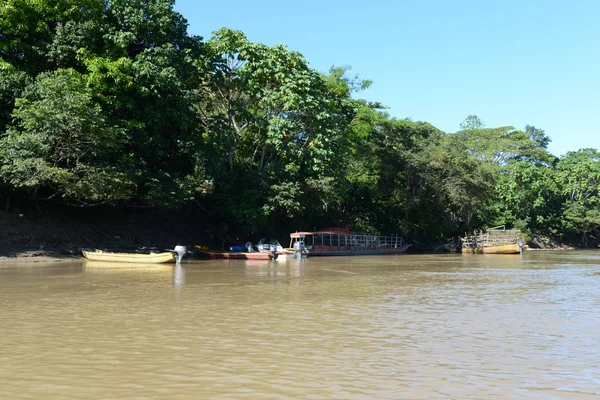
(509, 62)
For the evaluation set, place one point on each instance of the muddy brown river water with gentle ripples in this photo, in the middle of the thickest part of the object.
(393, 327)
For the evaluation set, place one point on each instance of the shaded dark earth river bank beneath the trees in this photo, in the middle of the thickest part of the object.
(60, 236)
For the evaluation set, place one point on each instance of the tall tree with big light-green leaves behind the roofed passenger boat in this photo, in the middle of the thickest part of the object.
(273, 124)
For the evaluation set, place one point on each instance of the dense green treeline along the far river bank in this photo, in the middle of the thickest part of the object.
(113, 102)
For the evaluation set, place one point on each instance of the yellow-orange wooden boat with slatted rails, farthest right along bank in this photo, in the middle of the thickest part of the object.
(497, 240)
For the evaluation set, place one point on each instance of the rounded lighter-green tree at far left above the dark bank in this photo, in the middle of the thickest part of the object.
(61, 144)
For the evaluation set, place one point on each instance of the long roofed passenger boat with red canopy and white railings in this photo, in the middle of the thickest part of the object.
(342, 242)
